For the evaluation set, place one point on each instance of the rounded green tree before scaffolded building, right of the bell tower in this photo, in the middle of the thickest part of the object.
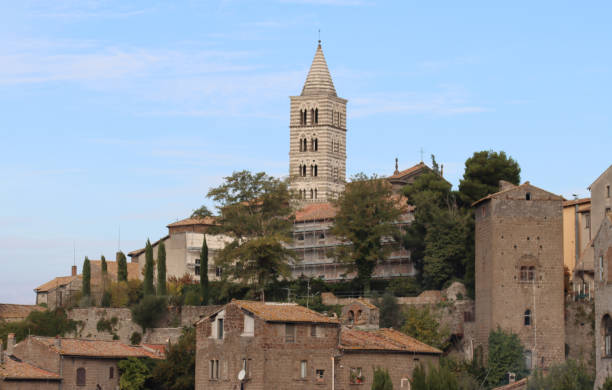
(367, 216)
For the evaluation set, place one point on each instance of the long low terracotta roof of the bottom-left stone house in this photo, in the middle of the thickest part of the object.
(93, 348)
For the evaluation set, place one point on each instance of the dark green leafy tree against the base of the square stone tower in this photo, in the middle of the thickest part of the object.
(506, 354)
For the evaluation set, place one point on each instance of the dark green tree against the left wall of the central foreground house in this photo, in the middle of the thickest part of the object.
(177, 372)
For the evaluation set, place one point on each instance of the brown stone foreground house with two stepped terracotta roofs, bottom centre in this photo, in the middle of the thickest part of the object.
(256, 345)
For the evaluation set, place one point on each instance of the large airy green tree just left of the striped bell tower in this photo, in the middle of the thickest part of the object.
(255, 212)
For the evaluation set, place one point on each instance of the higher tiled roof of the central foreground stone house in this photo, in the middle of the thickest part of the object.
(283, 312)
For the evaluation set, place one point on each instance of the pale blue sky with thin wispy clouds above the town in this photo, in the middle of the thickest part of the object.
(118, 114)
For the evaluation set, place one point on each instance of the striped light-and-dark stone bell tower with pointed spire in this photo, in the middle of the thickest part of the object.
(317, 151)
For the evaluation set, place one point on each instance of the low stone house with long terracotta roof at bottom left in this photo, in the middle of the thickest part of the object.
(81, 364)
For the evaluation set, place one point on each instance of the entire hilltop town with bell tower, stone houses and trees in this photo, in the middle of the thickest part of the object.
(319, 281)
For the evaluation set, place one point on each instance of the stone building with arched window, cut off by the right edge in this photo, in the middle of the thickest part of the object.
(602, 250)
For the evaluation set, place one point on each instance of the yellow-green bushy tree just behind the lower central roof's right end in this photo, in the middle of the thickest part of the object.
(423, 325)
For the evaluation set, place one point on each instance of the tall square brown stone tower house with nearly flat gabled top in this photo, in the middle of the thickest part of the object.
(519, 271)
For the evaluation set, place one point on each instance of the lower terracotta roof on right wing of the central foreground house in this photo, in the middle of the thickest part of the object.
(383, 340)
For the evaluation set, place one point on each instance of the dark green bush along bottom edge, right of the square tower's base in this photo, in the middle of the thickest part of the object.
(569, 375)
